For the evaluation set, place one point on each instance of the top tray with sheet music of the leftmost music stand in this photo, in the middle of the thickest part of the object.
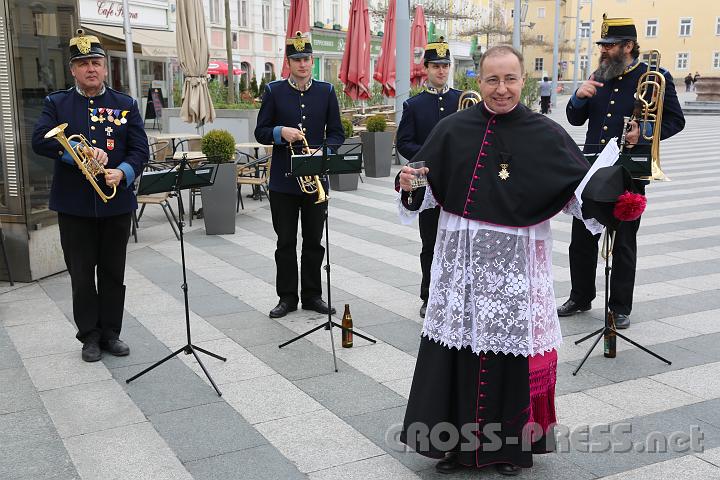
(165, 179)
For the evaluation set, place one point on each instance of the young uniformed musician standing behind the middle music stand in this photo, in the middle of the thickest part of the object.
(292, 109)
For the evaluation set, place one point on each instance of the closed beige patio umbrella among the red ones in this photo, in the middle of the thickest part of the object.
(194, 58)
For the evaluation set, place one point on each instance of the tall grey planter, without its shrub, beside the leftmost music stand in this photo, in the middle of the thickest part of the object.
(219, 201)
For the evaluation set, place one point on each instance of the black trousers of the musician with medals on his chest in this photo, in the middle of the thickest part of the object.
(96, 247)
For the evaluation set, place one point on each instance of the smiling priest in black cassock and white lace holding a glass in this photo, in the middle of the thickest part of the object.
(487, 360)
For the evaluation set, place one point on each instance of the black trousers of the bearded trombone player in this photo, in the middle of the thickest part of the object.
(583, 265)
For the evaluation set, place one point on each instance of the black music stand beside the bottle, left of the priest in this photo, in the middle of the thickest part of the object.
(321, 161)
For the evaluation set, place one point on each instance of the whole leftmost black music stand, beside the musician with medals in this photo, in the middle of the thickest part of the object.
(181, 177)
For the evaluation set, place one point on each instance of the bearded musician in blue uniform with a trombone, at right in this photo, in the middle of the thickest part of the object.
(603, 101)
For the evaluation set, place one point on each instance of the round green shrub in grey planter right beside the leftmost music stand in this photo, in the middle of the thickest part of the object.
(219, 199)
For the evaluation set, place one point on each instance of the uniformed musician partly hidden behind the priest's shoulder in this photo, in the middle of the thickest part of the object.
(420, 115)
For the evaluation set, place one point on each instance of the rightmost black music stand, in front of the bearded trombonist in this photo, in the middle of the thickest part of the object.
(602, 211)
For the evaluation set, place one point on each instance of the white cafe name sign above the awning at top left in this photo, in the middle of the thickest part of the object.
(147, 13)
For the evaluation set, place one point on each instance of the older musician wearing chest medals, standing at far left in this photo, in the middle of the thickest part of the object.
(94, 234)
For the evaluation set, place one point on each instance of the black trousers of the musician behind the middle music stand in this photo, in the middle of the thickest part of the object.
(285, 209)
